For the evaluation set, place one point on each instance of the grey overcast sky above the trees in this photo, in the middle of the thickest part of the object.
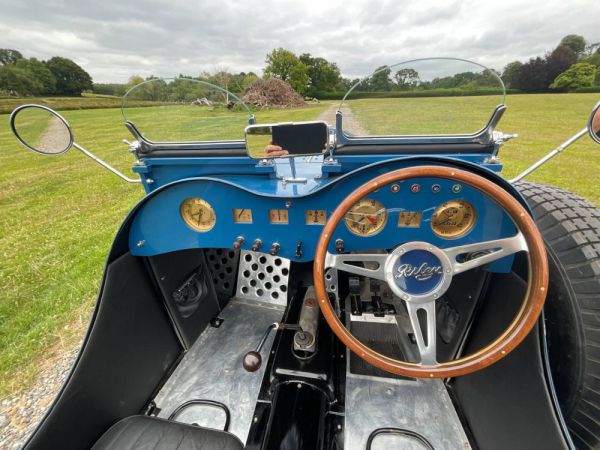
(114, 39)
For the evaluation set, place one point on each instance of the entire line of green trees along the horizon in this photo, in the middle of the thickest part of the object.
(574, 65)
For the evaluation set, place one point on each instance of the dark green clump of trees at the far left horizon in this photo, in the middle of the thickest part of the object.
(20, 76)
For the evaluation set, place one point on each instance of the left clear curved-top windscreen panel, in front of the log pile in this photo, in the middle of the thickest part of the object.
(185, 110)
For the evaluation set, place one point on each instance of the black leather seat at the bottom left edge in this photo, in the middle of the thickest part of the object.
(151, 433)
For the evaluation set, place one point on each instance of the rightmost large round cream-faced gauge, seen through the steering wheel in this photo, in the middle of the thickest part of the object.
(453, 219)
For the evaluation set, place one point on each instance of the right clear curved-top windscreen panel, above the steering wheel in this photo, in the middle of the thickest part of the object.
(435, 96)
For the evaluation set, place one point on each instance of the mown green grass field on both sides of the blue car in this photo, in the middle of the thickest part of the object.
(59, 214)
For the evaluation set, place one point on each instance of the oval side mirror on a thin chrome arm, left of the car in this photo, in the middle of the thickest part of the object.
(41, 129)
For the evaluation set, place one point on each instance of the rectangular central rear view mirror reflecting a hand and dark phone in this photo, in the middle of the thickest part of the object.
(286, 139)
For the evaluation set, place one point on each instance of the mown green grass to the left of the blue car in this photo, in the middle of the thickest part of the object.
(58, 218)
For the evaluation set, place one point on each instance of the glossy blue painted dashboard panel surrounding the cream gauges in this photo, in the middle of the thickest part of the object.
(158, 227)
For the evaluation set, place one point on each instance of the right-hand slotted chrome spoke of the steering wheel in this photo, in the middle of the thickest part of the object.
(484, 252)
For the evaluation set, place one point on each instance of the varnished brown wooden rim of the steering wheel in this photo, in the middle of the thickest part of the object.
(522, 324)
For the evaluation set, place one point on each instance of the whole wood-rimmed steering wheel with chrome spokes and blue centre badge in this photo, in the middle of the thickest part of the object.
(444, 264)
